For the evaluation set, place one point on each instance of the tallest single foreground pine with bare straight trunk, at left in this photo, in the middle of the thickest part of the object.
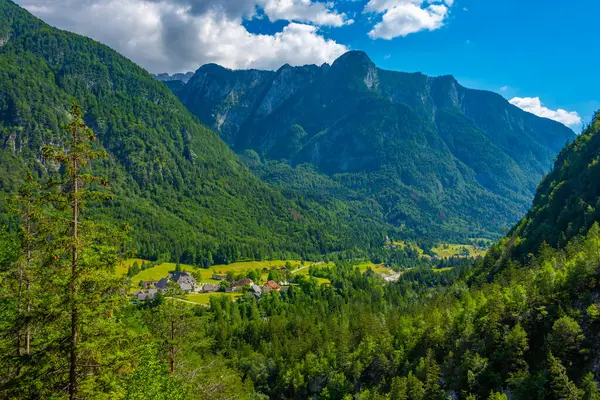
(83, 255)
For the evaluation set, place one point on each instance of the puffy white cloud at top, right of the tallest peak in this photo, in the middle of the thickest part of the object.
(403, 17)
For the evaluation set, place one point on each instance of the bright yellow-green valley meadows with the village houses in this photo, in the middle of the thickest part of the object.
(196, 285)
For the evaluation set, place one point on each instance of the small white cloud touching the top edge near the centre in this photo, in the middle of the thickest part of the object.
(304, 11)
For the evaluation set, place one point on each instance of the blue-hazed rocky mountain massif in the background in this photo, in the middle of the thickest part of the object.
(426, 149)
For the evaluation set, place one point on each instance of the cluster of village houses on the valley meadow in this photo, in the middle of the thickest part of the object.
(187, 284)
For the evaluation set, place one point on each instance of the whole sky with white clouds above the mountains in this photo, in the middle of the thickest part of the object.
(541, 55)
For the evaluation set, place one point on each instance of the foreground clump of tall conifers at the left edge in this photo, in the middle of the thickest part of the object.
(76, 296)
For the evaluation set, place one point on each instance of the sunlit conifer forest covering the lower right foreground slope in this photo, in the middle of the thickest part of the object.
(528, 330)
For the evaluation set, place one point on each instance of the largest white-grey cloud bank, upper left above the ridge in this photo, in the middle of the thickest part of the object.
(181, 35)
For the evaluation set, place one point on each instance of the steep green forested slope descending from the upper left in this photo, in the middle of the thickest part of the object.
(185, 194)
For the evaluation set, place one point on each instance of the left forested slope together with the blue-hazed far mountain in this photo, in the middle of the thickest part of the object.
(336, 156)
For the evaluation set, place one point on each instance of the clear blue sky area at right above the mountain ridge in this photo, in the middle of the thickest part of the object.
(530, 48)
